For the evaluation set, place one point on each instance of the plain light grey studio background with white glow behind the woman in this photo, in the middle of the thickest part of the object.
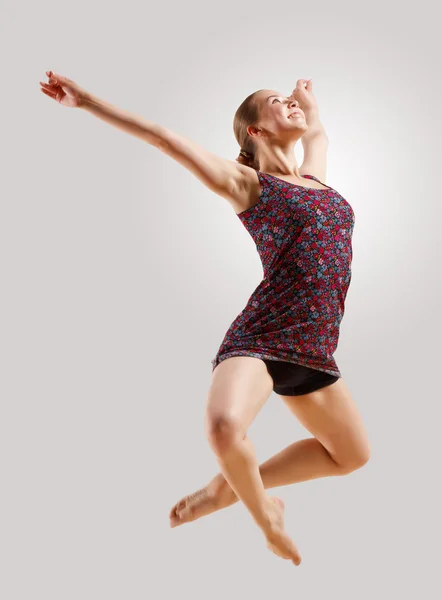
(121, 272)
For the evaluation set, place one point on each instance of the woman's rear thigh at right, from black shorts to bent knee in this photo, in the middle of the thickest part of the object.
(331, 415)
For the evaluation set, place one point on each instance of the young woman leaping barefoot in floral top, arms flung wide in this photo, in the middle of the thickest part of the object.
(285, 337)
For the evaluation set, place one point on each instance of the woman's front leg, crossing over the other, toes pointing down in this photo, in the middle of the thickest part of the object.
(240, 387)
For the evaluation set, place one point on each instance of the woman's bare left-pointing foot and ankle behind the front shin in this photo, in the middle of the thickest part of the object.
(214, 496)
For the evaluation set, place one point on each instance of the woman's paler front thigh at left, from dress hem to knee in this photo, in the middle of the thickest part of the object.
(240, 387)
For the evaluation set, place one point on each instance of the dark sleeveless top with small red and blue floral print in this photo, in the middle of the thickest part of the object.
(304, 240)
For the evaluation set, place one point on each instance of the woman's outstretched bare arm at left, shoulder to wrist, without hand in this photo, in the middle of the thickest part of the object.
(224, 177)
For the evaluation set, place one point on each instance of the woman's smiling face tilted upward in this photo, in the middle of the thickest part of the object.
(280, 115)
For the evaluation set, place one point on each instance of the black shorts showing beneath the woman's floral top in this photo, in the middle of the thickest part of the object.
(290, 379)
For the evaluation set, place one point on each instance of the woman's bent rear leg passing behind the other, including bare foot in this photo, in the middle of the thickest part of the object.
(339, 446)
